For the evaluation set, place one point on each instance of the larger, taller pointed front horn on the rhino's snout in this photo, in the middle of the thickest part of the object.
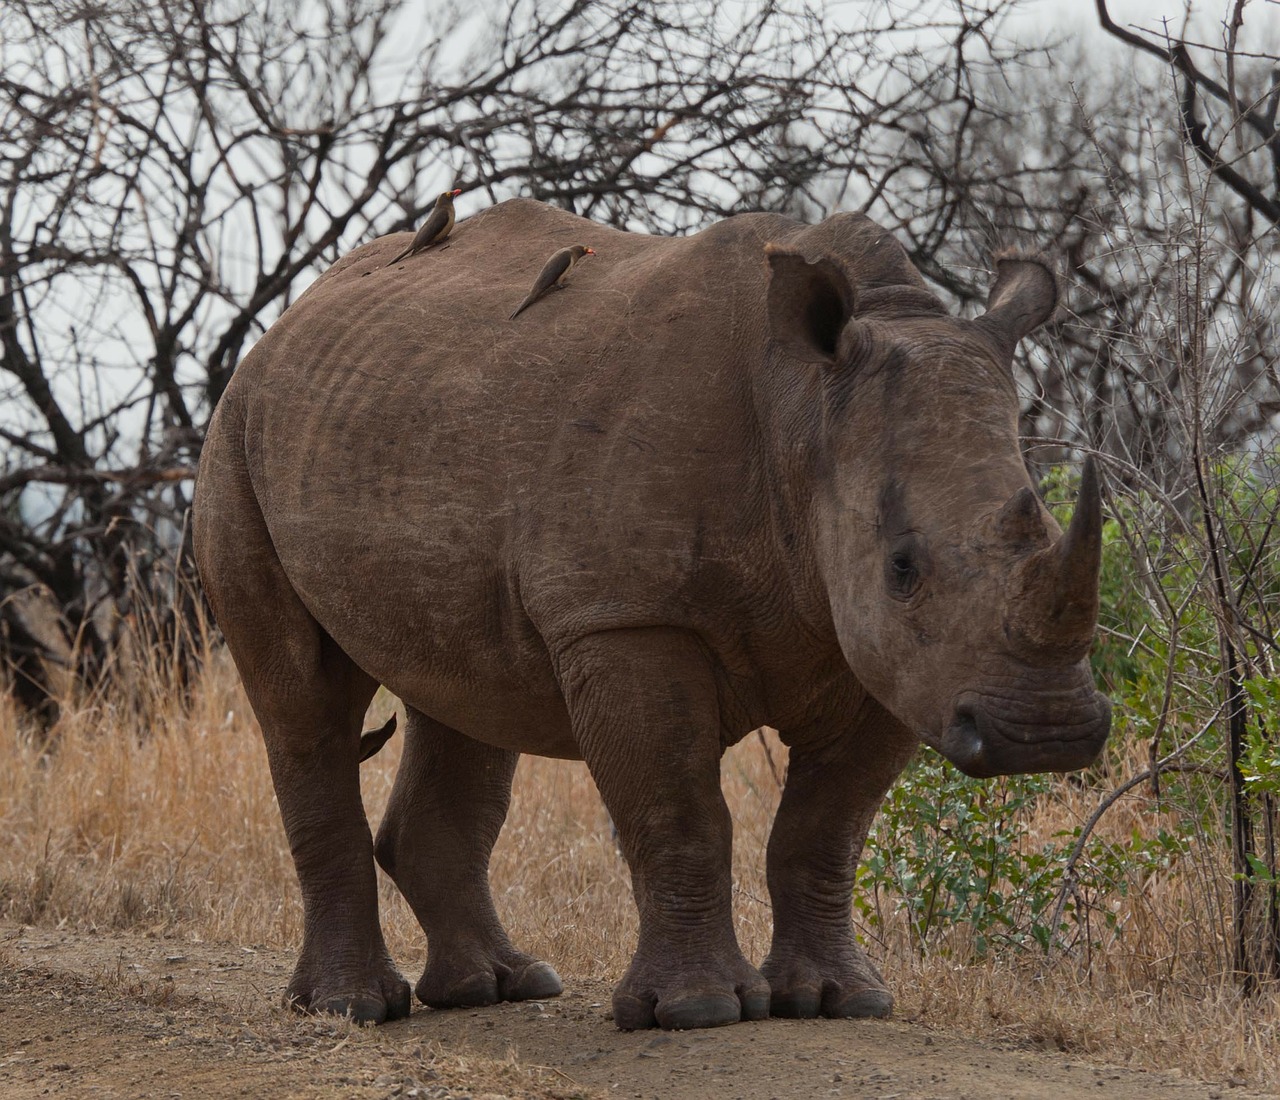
(1055, 603)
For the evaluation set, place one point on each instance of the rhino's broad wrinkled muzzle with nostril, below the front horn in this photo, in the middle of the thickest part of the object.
(1050, 732)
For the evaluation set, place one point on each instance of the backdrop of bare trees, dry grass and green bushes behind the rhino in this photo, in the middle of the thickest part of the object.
(173, 175)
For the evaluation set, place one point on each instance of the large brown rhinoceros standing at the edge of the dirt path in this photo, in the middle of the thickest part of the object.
(752, 477)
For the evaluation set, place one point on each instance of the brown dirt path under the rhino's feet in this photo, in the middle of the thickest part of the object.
(116, 1016)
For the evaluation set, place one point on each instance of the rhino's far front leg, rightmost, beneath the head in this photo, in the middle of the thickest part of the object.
(836, 782)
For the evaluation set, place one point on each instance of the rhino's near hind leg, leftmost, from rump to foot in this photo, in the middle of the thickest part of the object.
(310, 700)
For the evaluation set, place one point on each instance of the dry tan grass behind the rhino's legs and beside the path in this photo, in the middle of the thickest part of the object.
(161, 818)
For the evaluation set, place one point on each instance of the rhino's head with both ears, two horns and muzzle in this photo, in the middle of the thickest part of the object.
(958, 601)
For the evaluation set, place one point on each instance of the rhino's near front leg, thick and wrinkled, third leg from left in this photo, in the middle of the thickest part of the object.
(646, 716)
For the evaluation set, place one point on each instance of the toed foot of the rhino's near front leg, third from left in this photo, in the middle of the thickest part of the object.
(679, 1005)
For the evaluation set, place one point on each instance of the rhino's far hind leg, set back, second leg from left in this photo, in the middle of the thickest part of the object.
(442, 821)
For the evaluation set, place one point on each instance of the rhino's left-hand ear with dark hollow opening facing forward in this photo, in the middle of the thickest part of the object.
(810, 302)
